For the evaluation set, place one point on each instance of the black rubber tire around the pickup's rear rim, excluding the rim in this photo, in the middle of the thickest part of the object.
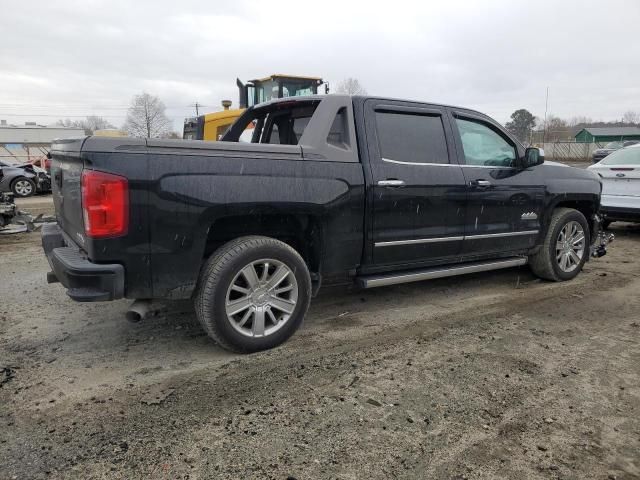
(216, 278)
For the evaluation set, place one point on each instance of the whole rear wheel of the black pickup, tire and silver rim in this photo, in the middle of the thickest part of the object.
(253, 294)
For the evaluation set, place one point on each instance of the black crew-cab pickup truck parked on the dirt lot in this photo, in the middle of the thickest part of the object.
(331, 189)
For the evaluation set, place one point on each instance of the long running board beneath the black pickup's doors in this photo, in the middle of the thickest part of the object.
(372, 281)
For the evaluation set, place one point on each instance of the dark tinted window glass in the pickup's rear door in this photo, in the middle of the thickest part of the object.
(406, 137)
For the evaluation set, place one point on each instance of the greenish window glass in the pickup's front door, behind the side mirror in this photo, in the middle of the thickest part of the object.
(485, 147)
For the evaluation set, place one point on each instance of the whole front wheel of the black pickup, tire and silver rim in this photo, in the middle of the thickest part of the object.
(565, 248)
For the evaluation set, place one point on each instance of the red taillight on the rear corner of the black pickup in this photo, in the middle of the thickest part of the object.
(105, 204)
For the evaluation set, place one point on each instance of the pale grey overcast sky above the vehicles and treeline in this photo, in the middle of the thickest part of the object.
(69, 59)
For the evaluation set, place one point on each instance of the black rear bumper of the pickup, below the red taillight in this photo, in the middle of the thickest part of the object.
(85, 281)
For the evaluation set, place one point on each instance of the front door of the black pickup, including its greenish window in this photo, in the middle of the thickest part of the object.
(504, 202)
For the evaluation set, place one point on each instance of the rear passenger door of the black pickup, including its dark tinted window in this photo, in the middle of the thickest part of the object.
(418, 198)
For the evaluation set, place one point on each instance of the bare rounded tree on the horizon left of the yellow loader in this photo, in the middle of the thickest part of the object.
(146, 117)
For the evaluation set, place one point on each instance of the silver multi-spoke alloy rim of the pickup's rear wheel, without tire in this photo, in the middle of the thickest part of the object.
(261, 298)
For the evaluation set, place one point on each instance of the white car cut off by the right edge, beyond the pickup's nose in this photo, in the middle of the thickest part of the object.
(620, 173)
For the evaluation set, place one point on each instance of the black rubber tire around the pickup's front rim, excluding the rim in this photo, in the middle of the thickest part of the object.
(544, 263)
